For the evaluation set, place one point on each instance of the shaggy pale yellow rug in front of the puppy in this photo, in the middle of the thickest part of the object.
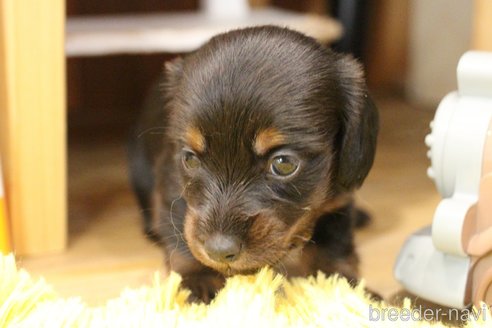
(262, 300)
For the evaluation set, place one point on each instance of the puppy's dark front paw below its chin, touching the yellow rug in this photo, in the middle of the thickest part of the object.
(203, 286)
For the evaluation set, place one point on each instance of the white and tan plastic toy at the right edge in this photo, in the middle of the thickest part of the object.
(450, 263)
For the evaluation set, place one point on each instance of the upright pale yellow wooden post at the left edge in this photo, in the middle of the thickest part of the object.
(32, 122)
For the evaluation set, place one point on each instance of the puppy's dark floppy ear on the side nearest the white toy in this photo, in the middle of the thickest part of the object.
(358, 135)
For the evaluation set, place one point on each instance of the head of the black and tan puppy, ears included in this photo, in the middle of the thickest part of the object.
(270, 128)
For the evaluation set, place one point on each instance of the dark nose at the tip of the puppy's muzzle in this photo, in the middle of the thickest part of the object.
(223, 248)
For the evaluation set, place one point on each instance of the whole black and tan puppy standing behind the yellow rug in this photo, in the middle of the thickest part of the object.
(249, 154)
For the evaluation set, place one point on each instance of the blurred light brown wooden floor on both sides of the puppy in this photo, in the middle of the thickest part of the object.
(108, 252)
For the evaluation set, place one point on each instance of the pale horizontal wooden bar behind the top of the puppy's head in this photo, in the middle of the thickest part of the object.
(178, 32)
